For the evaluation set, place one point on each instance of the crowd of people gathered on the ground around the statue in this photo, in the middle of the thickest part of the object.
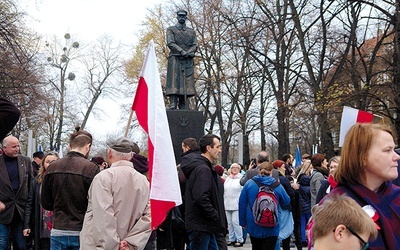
(347, 202)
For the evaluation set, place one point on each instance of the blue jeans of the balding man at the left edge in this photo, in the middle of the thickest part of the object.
(16, 228)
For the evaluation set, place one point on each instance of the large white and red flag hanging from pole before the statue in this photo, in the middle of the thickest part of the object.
(151, 114)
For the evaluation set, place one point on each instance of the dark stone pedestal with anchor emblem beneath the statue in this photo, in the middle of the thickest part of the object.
(184, 123)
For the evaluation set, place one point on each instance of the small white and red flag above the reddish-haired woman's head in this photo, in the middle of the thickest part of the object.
(351, 116)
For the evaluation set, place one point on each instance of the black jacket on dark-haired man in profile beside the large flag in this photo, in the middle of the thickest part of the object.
(205, 210)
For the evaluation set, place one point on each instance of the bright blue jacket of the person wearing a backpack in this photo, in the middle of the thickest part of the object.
(246, 200)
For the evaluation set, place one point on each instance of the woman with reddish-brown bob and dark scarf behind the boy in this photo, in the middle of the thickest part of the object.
(367, 167)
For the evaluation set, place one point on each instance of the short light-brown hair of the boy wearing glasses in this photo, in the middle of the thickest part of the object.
(341, 210)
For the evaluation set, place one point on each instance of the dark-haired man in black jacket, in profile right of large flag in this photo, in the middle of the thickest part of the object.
(205, 212)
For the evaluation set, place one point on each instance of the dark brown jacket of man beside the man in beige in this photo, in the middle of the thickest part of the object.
(65, 190)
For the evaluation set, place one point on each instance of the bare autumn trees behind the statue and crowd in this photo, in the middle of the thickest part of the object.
(276, 72)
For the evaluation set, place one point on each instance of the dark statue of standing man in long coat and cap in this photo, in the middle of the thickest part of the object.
(182, 43)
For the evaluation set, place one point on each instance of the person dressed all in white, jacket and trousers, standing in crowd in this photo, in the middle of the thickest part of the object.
(232, 189)
